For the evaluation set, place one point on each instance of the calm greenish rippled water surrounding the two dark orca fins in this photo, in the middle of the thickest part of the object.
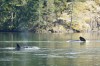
(49, 49)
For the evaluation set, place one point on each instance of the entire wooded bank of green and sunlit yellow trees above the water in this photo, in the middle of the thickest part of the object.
(54, 16)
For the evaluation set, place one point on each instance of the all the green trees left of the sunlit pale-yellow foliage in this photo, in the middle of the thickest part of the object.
(30, 14)
